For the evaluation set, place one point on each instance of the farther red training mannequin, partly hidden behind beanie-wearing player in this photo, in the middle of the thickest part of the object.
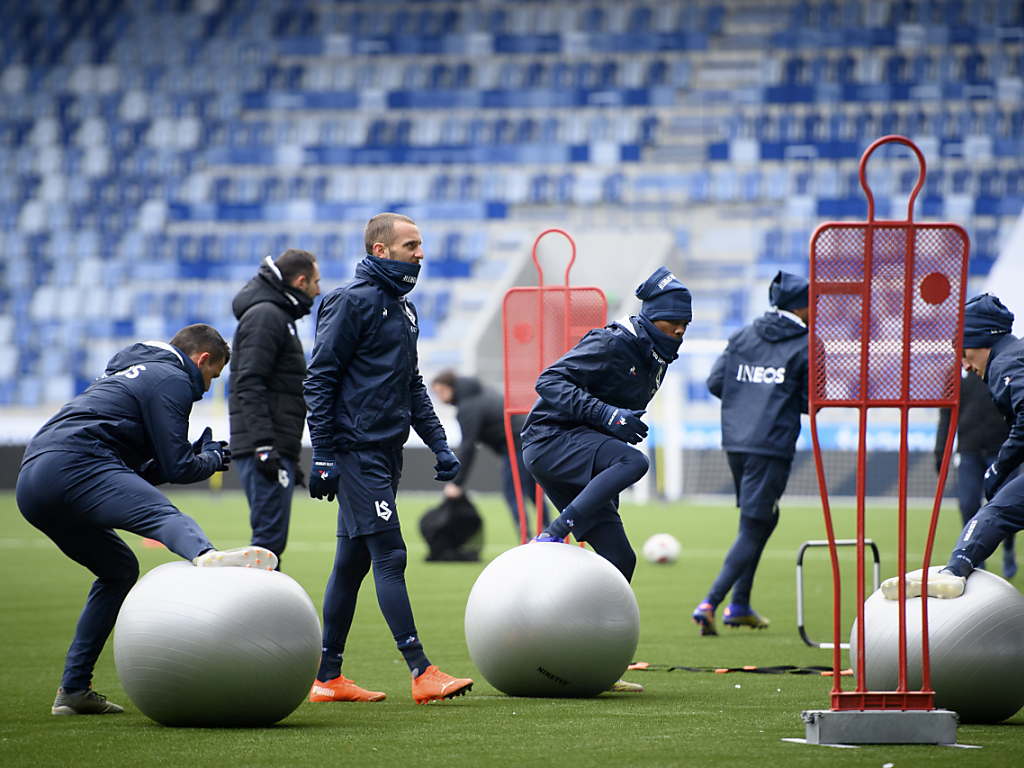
(547, 352)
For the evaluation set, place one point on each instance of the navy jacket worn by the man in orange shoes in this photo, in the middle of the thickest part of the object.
(364, 388)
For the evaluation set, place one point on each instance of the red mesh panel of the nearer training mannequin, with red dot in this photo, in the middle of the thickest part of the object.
(926, 350)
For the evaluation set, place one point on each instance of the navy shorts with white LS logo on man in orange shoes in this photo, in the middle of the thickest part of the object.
(368, 484)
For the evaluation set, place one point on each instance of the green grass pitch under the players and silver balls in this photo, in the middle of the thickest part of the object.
(682, 718)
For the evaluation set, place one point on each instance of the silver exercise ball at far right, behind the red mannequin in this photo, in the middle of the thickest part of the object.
(976, 648)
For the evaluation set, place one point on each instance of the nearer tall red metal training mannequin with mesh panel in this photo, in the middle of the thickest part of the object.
(919, 241)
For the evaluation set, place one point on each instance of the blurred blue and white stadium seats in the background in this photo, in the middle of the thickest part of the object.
(153, 151)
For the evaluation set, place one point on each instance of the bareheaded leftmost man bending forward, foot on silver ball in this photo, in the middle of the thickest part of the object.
(93, 468)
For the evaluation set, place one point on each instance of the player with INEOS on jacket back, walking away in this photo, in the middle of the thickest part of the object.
(761, 379)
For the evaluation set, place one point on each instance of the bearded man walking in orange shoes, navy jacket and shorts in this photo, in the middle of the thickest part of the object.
(364, 392)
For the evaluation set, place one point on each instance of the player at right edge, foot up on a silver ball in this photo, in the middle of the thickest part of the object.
(998, 357)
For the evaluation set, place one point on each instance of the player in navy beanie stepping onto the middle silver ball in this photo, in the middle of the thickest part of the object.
(578, 438)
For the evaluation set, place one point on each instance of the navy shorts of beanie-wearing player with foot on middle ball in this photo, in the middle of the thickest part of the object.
(564, 463)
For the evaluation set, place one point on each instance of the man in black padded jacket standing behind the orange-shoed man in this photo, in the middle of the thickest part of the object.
(268, 408)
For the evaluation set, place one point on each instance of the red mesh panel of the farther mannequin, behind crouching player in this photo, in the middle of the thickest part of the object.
(528, 352)
